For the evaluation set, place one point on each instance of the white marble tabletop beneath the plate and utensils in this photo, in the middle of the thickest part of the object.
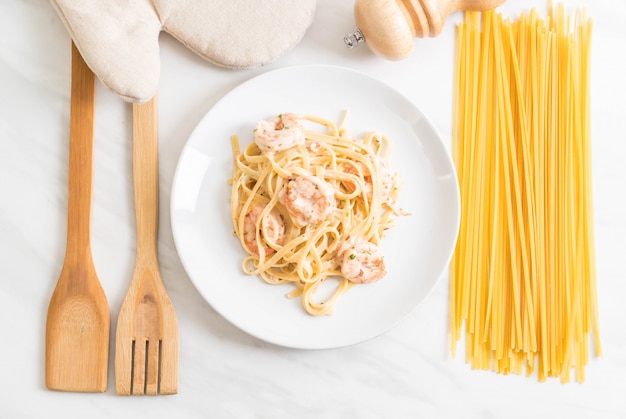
(224, 373)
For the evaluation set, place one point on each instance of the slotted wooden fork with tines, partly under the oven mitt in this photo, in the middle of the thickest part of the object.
(146, 349)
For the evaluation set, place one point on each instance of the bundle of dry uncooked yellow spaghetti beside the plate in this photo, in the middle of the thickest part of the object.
(522, 279)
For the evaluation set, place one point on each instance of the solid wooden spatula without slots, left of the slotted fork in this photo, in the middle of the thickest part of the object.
(78, 322)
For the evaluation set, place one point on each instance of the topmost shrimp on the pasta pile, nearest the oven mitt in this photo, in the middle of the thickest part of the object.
(279, 133)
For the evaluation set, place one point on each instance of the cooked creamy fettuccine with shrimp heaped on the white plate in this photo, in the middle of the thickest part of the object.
(310, 204)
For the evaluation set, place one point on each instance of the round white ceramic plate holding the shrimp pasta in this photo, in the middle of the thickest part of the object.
(417, 250)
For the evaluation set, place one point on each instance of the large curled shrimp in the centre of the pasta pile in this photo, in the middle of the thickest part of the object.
(308, 199)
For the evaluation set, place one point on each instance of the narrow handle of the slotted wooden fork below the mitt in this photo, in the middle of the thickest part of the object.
(146, 176)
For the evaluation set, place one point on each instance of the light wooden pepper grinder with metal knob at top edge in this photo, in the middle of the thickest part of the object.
(390, 26)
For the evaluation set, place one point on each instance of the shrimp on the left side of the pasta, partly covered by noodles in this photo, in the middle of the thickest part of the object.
(271, 228)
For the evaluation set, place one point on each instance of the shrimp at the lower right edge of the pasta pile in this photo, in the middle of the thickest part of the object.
(361, 261)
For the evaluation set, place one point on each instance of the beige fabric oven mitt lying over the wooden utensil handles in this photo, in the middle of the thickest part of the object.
(119, 39)
